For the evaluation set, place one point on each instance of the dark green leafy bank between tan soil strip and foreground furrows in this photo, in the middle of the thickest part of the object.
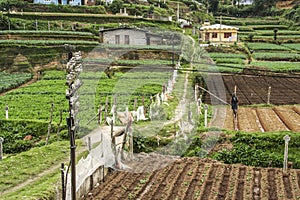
(261, 150)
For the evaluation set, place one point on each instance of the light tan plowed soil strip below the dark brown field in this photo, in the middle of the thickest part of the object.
(278, 118)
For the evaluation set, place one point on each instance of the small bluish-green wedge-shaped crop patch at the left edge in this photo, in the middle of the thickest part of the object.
(8, 81)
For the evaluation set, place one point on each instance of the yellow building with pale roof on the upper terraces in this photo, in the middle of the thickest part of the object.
(218, 33)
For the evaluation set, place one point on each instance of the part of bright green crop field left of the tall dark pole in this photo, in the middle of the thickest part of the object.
(33, 102)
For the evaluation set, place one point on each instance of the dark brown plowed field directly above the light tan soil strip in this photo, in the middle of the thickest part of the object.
(253, 89)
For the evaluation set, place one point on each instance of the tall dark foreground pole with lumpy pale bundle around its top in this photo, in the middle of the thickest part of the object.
(74, 67)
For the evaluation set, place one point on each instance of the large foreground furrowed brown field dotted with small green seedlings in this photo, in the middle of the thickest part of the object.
(203, 179)
